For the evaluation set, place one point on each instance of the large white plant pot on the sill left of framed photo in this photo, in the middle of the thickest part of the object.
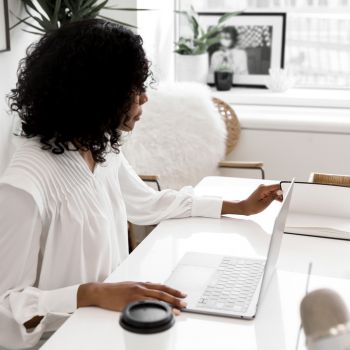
(192, 68)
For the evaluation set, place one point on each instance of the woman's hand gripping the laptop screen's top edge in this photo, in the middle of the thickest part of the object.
(259, 200)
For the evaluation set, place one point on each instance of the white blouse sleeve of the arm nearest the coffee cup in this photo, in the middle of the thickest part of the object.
(20, 231)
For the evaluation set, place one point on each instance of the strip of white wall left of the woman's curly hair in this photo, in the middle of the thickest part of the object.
(8, 67)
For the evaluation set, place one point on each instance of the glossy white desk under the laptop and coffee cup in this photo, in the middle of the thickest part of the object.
(277, 322)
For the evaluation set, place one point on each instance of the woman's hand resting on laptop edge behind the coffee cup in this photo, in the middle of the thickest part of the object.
(115, 296)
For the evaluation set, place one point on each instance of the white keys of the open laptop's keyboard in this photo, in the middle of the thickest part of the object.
(232, 285)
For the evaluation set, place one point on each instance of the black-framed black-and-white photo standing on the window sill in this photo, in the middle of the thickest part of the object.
(250, 43)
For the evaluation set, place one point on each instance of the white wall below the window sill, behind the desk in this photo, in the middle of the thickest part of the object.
(288, 154)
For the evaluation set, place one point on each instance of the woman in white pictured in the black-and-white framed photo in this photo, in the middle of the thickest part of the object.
(228, 56)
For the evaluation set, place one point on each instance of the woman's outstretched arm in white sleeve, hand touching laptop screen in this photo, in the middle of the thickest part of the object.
(146, 206)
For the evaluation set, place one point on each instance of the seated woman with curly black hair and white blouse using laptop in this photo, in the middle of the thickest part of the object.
(67, 195)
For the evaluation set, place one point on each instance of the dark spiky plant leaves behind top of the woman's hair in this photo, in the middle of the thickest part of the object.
(46, 15)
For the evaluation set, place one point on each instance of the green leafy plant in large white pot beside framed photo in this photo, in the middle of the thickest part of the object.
(192, 59)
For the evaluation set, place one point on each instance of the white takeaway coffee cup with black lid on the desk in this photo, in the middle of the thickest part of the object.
(147, 325)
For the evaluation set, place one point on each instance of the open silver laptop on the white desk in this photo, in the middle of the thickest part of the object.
(229, 285)
